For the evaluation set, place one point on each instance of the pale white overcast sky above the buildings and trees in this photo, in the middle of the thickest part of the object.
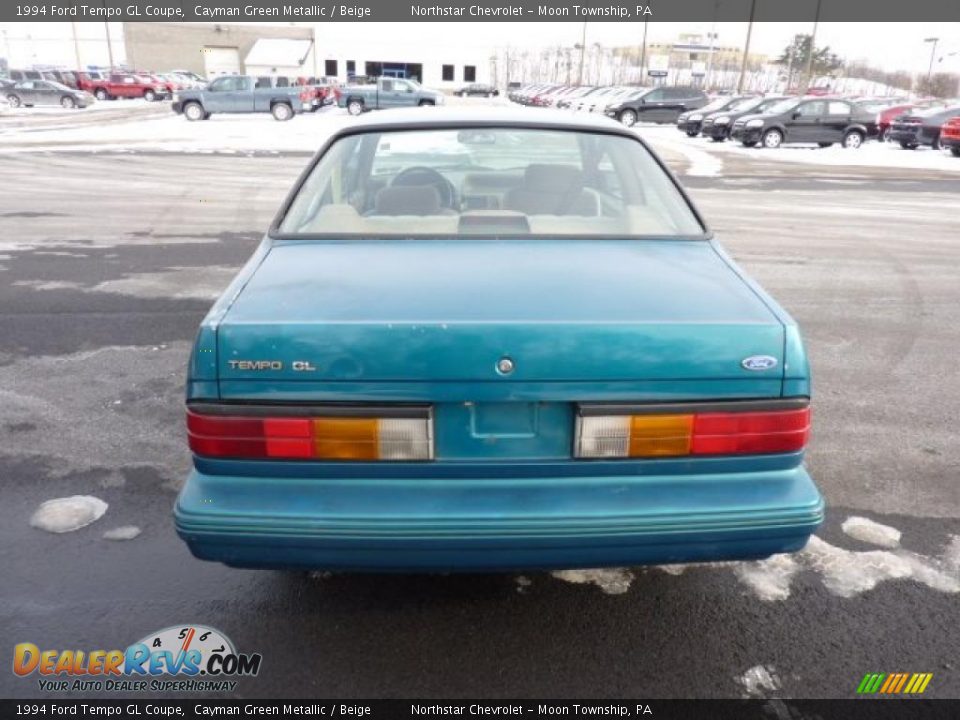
(890, 46)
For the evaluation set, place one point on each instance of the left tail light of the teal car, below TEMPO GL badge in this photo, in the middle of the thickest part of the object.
(313, 437)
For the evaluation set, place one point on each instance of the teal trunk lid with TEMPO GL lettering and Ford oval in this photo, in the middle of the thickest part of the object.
(596, 312)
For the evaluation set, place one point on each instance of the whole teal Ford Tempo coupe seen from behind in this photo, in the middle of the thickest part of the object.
(488, 340)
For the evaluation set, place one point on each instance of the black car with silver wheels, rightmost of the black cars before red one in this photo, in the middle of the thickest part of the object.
(819, 120)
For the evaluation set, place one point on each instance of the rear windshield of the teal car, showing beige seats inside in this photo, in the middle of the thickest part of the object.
(490, 181)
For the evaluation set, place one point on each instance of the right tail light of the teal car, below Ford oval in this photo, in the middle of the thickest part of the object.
(647, 434)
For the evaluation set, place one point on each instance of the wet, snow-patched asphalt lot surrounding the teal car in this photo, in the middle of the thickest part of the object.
(108, 260)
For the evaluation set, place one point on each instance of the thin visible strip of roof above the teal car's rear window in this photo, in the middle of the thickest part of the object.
(453, 117)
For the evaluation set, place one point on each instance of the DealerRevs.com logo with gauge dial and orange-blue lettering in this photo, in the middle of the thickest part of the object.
(186, 658)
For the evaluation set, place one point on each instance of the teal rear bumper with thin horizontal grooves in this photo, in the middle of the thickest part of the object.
(366, 523)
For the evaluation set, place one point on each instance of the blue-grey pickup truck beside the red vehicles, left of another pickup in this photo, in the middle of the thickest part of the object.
(242, 94)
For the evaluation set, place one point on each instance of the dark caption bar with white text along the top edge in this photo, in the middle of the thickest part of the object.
(852, 11)
